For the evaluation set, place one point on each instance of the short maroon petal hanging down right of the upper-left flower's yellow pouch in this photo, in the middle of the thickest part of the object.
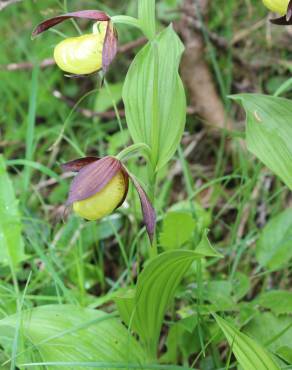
(110, 47)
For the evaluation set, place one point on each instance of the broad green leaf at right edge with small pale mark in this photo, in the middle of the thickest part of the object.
(269, 132)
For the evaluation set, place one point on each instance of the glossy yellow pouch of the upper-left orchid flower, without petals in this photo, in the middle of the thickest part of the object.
(81, 55)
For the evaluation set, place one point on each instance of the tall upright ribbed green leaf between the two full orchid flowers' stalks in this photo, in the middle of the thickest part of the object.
(154, 96)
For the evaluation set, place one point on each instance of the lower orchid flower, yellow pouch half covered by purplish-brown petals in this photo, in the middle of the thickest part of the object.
(101, 186)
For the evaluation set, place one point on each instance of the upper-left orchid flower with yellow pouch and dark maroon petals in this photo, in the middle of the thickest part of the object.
(88, 53)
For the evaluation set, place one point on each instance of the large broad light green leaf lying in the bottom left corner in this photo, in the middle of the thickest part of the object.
(65, 333)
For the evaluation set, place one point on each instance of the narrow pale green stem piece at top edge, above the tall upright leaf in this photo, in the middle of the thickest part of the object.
(146, 14)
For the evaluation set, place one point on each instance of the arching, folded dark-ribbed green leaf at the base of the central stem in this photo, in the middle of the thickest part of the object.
(144, 311)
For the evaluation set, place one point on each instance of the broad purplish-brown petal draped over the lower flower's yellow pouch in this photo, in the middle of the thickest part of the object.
(93, 178)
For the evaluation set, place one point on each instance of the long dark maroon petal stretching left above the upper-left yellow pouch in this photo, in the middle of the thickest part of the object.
(95, 15)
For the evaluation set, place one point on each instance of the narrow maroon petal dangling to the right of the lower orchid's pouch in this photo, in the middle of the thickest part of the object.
(149, 215)
